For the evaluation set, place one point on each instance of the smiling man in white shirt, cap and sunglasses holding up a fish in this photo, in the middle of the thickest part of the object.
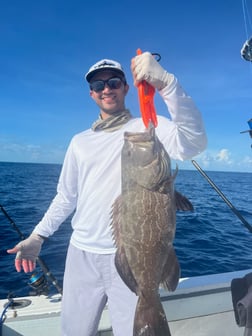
(89, 183)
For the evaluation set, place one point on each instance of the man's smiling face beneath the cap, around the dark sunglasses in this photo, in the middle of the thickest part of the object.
(109, 100)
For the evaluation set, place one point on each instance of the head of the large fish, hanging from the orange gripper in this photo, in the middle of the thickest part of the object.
(144, 159)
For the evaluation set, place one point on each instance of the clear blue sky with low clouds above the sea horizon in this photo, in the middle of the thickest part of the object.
(47, 46)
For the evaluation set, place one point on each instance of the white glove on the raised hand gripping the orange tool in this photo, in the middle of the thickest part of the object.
(147, 68)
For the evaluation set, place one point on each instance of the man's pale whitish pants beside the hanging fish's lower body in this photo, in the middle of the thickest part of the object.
(90, 281)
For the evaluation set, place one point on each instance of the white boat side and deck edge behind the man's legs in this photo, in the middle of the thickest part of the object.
(200, 306)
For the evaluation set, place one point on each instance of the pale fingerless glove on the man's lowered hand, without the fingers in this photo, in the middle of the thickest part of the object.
(29, 248)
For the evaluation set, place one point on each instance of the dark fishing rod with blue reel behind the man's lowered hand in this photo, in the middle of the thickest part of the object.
(34, 279)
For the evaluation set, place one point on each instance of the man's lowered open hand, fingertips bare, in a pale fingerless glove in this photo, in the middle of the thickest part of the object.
(27, 252)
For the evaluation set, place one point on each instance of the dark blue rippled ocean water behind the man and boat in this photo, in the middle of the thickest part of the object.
(211, 239)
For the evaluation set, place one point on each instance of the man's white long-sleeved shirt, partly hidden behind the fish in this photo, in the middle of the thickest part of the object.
(90, 179)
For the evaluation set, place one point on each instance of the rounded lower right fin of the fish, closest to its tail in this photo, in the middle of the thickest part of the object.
(171, 272)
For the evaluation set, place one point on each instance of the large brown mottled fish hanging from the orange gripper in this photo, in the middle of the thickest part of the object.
(144, 224)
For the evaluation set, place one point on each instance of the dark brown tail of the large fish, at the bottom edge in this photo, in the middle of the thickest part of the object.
(150, 318)
